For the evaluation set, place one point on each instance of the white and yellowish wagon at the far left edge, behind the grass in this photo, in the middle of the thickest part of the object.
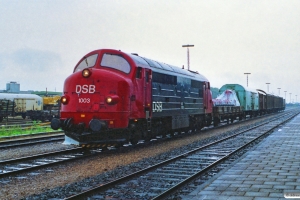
(23, 103)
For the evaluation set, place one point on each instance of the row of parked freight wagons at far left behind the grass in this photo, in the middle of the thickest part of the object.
(29, 105)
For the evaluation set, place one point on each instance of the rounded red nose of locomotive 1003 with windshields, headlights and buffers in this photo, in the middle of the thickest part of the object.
(95, 105)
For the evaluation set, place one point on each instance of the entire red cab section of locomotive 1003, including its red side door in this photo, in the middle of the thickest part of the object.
(103, 97)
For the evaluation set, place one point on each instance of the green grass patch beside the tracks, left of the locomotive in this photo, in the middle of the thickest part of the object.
(18, 130)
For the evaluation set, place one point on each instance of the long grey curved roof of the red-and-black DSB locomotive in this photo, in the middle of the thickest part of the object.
(165, 68)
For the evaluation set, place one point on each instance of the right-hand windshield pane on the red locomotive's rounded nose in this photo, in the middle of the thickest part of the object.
(115, 62)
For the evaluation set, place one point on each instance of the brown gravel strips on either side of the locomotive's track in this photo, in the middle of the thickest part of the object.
(66, 175)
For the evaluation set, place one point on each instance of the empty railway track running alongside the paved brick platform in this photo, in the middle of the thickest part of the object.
(162, 179)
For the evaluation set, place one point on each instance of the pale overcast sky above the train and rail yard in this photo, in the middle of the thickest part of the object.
(42, 40)
